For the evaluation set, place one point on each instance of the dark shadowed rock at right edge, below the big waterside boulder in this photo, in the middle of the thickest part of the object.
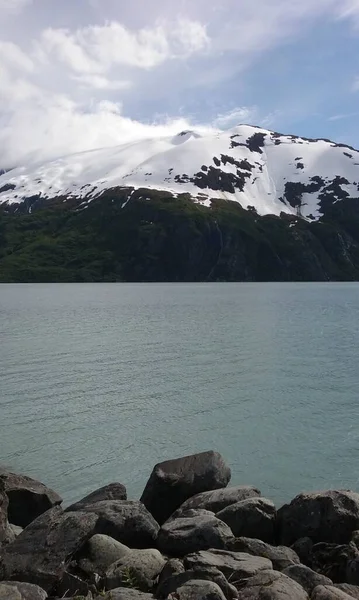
(332, 560)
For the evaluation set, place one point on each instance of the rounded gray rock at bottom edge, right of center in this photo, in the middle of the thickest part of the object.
(272, 585)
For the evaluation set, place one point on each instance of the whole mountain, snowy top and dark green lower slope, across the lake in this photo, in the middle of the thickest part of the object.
(242, 205)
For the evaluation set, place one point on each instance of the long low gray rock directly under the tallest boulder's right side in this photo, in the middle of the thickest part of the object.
(216, 500)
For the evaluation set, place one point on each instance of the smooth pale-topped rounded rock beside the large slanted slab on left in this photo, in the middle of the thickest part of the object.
(99, 553)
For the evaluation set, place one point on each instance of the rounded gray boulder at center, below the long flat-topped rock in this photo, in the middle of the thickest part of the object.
(184, 535)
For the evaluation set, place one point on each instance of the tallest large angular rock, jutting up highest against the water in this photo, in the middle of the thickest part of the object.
(174, 481)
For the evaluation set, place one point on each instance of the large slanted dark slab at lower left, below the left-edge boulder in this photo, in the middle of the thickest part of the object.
(41, 553)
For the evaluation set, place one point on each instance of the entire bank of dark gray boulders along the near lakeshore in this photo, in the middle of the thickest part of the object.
(189, 537)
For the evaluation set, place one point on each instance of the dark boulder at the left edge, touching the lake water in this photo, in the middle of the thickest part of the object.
(28, 498)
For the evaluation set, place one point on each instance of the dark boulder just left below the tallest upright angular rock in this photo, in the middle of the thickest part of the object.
(128, 522)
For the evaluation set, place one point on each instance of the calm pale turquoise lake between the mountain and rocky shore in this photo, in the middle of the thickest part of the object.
(98, 382)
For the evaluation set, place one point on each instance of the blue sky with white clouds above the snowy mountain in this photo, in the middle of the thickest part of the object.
(81, 74)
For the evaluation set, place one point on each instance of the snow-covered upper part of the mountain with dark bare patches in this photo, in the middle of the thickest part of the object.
(258, 168)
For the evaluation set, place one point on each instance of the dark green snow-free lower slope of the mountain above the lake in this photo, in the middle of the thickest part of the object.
(156, 237)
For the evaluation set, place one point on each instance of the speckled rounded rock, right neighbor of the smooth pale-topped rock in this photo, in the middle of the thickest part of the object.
(137, 568)
